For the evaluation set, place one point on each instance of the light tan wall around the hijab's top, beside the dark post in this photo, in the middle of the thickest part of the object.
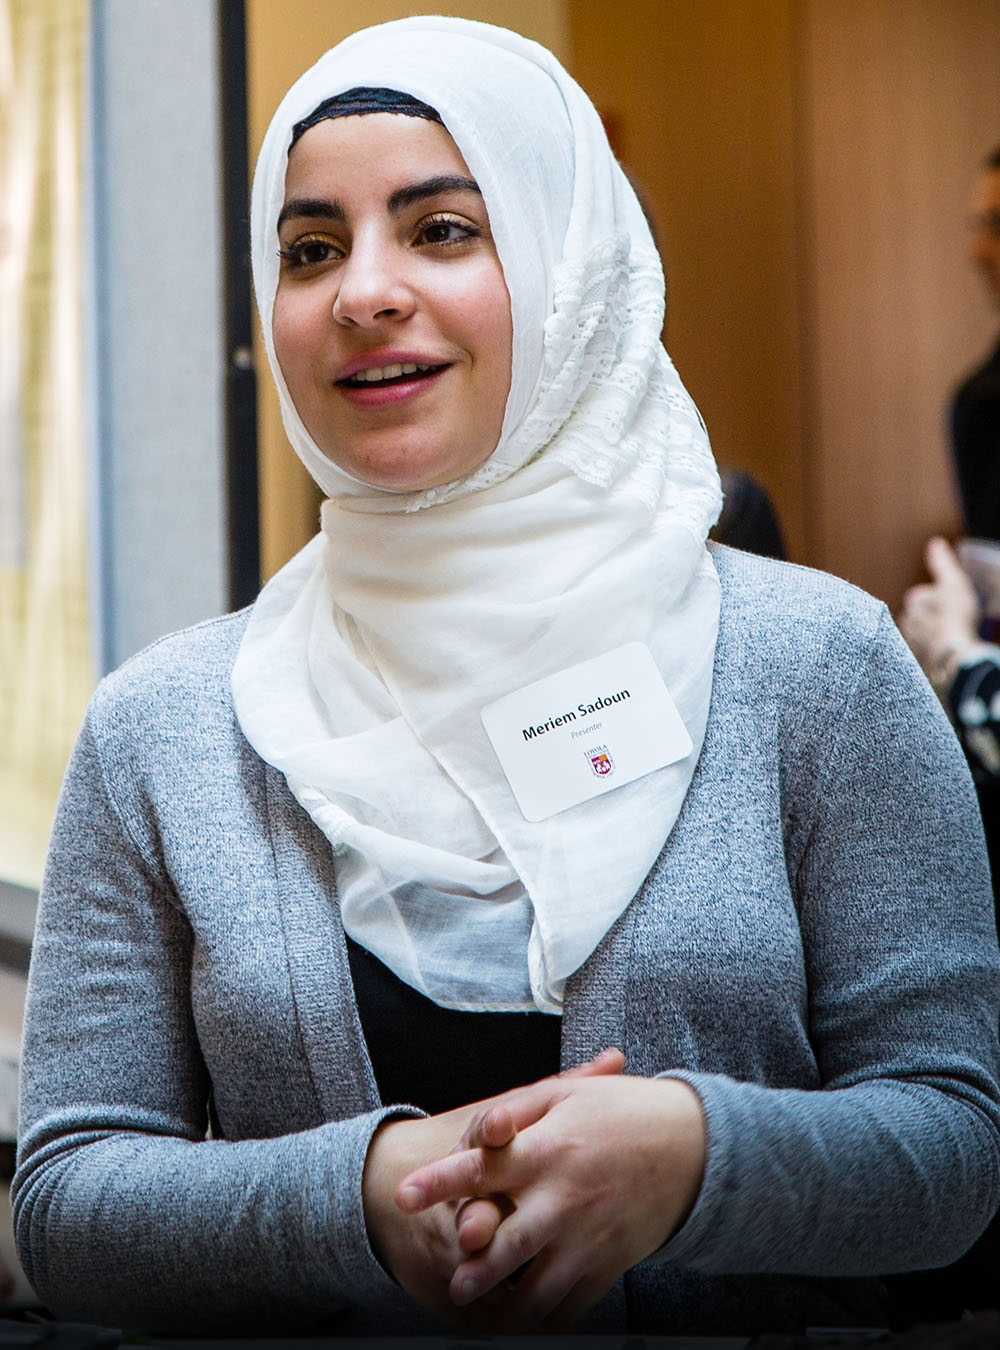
(283, 41)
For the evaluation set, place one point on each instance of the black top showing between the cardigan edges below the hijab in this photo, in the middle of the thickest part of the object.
(438, 1059)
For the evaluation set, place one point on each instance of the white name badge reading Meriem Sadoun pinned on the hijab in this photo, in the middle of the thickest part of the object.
(586, 731)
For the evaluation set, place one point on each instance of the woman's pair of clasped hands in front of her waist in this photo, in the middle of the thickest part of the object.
(520, 1213)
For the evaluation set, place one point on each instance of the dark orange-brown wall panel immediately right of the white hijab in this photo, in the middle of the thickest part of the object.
(701, 101)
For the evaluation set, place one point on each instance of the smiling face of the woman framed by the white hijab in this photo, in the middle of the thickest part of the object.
(392, 318)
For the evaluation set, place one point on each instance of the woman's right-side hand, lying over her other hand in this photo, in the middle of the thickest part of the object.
(600, 1172)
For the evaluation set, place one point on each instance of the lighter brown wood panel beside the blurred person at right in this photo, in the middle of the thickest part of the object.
(899, 102)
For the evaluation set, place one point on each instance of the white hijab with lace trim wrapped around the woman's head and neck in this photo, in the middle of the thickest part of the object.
(369, 658)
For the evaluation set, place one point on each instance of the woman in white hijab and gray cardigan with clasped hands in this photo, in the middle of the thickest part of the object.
(565, 782)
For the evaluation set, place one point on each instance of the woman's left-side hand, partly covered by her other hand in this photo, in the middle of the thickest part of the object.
(423, 1248)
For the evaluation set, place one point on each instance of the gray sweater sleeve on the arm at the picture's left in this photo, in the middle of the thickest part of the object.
(126, 1214)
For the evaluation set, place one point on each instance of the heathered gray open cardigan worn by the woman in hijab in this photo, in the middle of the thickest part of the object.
(814, 952)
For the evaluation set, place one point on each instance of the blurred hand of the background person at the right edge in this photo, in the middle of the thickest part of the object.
(940, 620)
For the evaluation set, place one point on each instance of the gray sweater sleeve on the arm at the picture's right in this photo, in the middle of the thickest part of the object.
(894, 1162)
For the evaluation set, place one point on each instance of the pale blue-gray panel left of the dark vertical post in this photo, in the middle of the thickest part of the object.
(159, 512)
